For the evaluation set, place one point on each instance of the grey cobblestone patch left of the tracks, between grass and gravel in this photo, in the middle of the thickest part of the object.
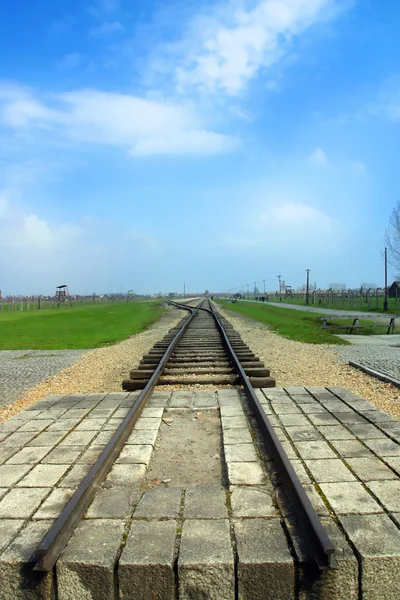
(22, 369)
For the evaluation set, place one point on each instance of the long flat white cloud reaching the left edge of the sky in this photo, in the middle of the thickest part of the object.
(142, 126)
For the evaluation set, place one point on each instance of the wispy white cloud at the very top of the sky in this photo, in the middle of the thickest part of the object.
(227, 50)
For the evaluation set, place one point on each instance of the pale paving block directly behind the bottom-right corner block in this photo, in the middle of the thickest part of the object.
(349, 497)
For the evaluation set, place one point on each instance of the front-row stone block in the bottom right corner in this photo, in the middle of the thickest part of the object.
(377, 541)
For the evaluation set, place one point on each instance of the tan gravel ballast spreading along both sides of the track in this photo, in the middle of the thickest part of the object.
(291, 363)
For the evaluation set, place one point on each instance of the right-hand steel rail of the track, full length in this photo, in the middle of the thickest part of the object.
(316, 547)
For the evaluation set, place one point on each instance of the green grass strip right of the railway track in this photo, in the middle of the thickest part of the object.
(292, 324)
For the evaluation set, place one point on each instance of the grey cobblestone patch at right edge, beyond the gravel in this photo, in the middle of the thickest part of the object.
(385, 359)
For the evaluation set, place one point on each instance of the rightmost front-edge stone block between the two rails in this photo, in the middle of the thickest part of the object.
(265, 570)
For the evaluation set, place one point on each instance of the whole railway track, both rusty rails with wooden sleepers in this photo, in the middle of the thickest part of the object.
(203, 341)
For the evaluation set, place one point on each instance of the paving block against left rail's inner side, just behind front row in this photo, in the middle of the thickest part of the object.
(113, 503)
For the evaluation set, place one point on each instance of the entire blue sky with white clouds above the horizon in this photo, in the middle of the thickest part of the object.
(148, 143)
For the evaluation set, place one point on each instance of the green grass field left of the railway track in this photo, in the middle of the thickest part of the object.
(89, 326)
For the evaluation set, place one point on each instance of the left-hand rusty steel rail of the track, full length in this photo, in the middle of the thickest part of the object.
(63, 527)
